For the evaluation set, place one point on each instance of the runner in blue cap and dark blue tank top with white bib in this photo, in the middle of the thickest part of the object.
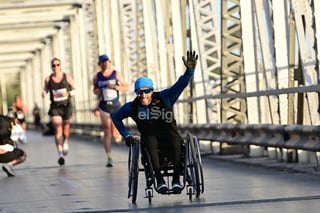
(107, 83)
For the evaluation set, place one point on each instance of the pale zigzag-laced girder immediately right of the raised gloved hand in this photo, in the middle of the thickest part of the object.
(207, 76)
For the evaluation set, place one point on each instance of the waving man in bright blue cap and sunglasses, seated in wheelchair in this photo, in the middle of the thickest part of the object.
(153, 114)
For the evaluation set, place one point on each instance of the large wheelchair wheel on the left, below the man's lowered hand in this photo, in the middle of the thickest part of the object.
(133, 163)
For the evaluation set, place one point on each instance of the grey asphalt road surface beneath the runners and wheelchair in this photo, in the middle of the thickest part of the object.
(84, 184)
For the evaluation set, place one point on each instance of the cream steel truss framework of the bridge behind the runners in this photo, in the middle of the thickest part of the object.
(259, 59)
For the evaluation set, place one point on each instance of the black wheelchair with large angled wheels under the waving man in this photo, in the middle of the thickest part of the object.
(191, 168)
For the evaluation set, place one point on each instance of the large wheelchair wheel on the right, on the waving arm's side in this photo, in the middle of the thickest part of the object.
(195, 164)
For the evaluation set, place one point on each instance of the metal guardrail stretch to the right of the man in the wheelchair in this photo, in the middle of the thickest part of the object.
(266, 135)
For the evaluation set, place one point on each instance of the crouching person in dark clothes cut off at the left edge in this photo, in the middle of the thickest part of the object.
(10, 154)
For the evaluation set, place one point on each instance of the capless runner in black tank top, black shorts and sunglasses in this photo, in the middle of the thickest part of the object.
(60, 86)
